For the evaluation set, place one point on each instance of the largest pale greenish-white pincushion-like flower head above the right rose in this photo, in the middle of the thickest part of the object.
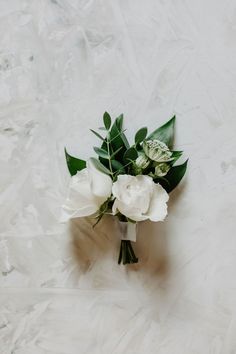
(157, 150)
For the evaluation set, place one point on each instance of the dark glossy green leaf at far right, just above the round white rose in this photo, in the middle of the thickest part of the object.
(173, 177)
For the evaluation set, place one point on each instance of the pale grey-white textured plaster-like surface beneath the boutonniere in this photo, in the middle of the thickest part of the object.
(62, 64)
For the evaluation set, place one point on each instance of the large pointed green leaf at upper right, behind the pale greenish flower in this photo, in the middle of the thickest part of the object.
(165, 133)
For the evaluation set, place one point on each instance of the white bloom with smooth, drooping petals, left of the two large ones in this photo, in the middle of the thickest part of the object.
(88, 190)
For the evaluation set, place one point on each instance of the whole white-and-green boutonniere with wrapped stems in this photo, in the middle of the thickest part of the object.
(129, 181)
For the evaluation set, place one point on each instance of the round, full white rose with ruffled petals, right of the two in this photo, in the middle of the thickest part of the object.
(139, 198)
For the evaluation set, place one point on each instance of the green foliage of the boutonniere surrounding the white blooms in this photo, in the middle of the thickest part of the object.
(115, 156)
